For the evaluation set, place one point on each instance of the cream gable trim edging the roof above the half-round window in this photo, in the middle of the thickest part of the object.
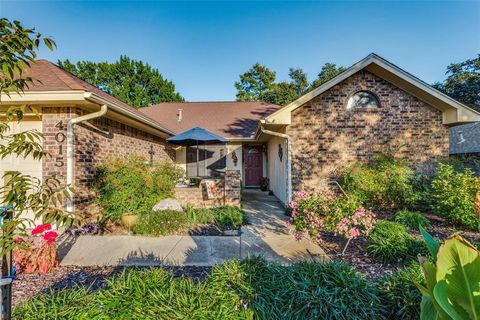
(454, 112)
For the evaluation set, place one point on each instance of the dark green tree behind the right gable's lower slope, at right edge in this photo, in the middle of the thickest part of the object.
(463, 82)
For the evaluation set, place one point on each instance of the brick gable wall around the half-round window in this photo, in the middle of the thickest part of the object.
(326, 136)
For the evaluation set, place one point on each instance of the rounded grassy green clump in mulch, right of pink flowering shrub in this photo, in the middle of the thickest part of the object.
(390, 242)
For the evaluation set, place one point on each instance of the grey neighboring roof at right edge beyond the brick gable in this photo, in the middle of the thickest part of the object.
(465, 138)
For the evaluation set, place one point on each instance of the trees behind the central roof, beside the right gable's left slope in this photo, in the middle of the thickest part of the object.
(258, 84)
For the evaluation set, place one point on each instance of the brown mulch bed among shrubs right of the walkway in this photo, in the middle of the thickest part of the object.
(356, 251)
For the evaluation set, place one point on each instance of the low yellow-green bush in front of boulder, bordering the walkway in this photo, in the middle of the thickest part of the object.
(161, 223)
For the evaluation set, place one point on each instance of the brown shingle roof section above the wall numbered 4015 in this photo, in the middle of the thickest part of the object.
(49, 77)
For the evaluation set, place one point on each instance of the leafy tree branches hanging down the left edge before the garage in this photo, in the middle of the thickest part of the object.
(21, 193)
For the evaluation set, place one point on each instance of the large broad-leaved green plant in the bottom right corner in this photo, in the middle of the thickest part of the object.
(452, 280)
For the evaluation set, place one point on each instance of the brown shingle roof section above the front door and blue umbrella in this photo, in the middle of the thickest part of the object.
(229, 119)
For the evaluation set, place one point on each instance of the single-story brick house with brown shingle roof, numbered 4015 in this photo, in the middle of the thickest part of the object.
(302, 146)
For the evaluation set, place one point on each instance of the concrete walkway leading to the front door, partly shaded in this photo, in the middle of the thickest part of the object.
(266, 236)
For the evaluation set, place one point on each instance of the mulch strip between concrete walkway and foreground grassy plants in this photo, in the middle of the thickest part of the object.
(26, 286)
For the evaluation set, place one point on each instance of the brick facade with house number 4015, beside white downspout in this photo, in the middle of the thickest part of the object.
(95, 141)
